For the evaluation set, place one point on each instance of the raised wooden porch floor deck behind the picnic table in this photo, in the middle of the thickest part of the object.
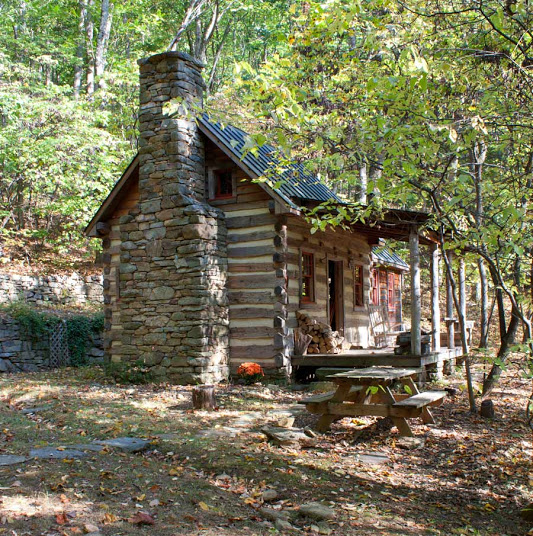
(374, 357)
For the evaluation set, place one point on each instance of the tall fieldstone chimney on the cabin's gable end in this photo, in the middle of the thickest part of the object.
(173, 262)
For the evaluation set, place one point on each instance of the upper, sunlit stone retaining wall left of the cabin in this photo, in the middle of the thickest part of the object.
(70, 289)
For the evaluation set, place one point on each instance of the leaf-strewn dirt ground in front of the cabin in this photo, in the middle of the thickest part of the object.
(206, 472)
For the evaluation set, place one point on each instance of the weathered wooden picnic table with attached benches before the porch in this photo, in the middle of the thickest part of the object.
(368, 392)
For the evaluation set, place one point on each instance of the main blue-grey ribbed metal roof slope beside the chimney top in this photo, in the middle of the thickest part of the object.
(291, 181)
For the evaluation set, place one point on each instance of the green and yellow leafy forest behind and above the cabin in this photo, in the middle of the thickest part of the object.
(418, 105)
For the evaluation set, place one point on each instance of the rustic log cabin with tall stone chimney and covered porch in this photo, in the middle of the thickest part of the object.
(207, 264)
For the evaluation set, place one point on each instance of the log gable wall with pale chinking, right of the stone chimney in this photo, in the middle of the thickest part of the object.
(252, 279)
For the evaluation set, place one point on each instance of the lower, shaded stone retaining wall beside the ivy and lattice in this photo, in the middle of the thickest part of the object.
(17, 354)
